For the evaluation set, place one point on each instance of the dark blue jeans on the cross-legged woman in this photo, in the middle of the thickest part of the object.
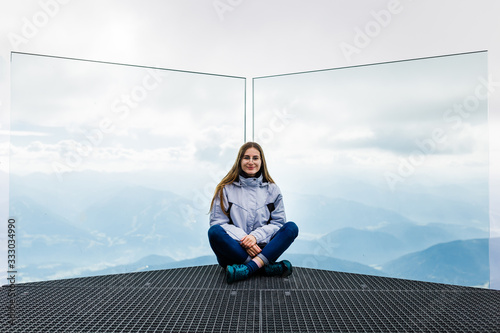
(229, 251)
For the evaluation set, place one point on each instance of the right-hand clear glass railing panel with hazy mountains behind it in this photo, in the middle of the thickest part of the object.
(384, 167)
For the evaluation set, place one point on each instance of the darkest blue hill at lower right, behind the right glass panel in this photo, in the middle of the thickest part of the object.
(458, 262)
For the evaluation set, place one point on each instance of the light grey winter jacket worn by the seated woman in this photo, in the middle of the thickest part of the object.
(249, 212)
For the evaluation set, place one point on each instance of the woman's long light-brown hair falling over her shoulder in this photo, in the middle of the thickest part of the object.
(235, 171)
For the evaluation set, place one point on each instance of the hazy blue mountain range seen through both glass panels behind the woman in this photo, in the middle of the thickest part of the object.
(110, 226)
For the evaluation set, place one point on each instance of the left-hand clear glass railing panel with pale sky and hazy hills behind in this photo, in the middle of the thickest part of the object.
(112, 167)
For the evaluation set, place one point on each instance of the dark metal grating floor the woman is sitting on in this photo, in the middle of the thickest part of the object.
(197, 299)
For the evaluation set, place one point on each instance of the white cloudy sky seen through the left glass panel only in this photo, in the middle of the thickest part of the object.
(120, 118)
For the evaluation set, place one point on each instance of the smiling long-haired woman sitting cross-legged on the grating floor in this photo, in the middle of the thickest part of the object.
(248, 228)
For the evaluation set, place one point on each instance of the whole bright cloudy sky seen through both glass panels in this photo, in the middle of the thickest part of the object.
(104, 117)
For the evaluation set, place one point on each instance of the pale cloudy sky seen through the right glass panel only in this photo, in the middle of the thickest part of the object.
(370, 117)
